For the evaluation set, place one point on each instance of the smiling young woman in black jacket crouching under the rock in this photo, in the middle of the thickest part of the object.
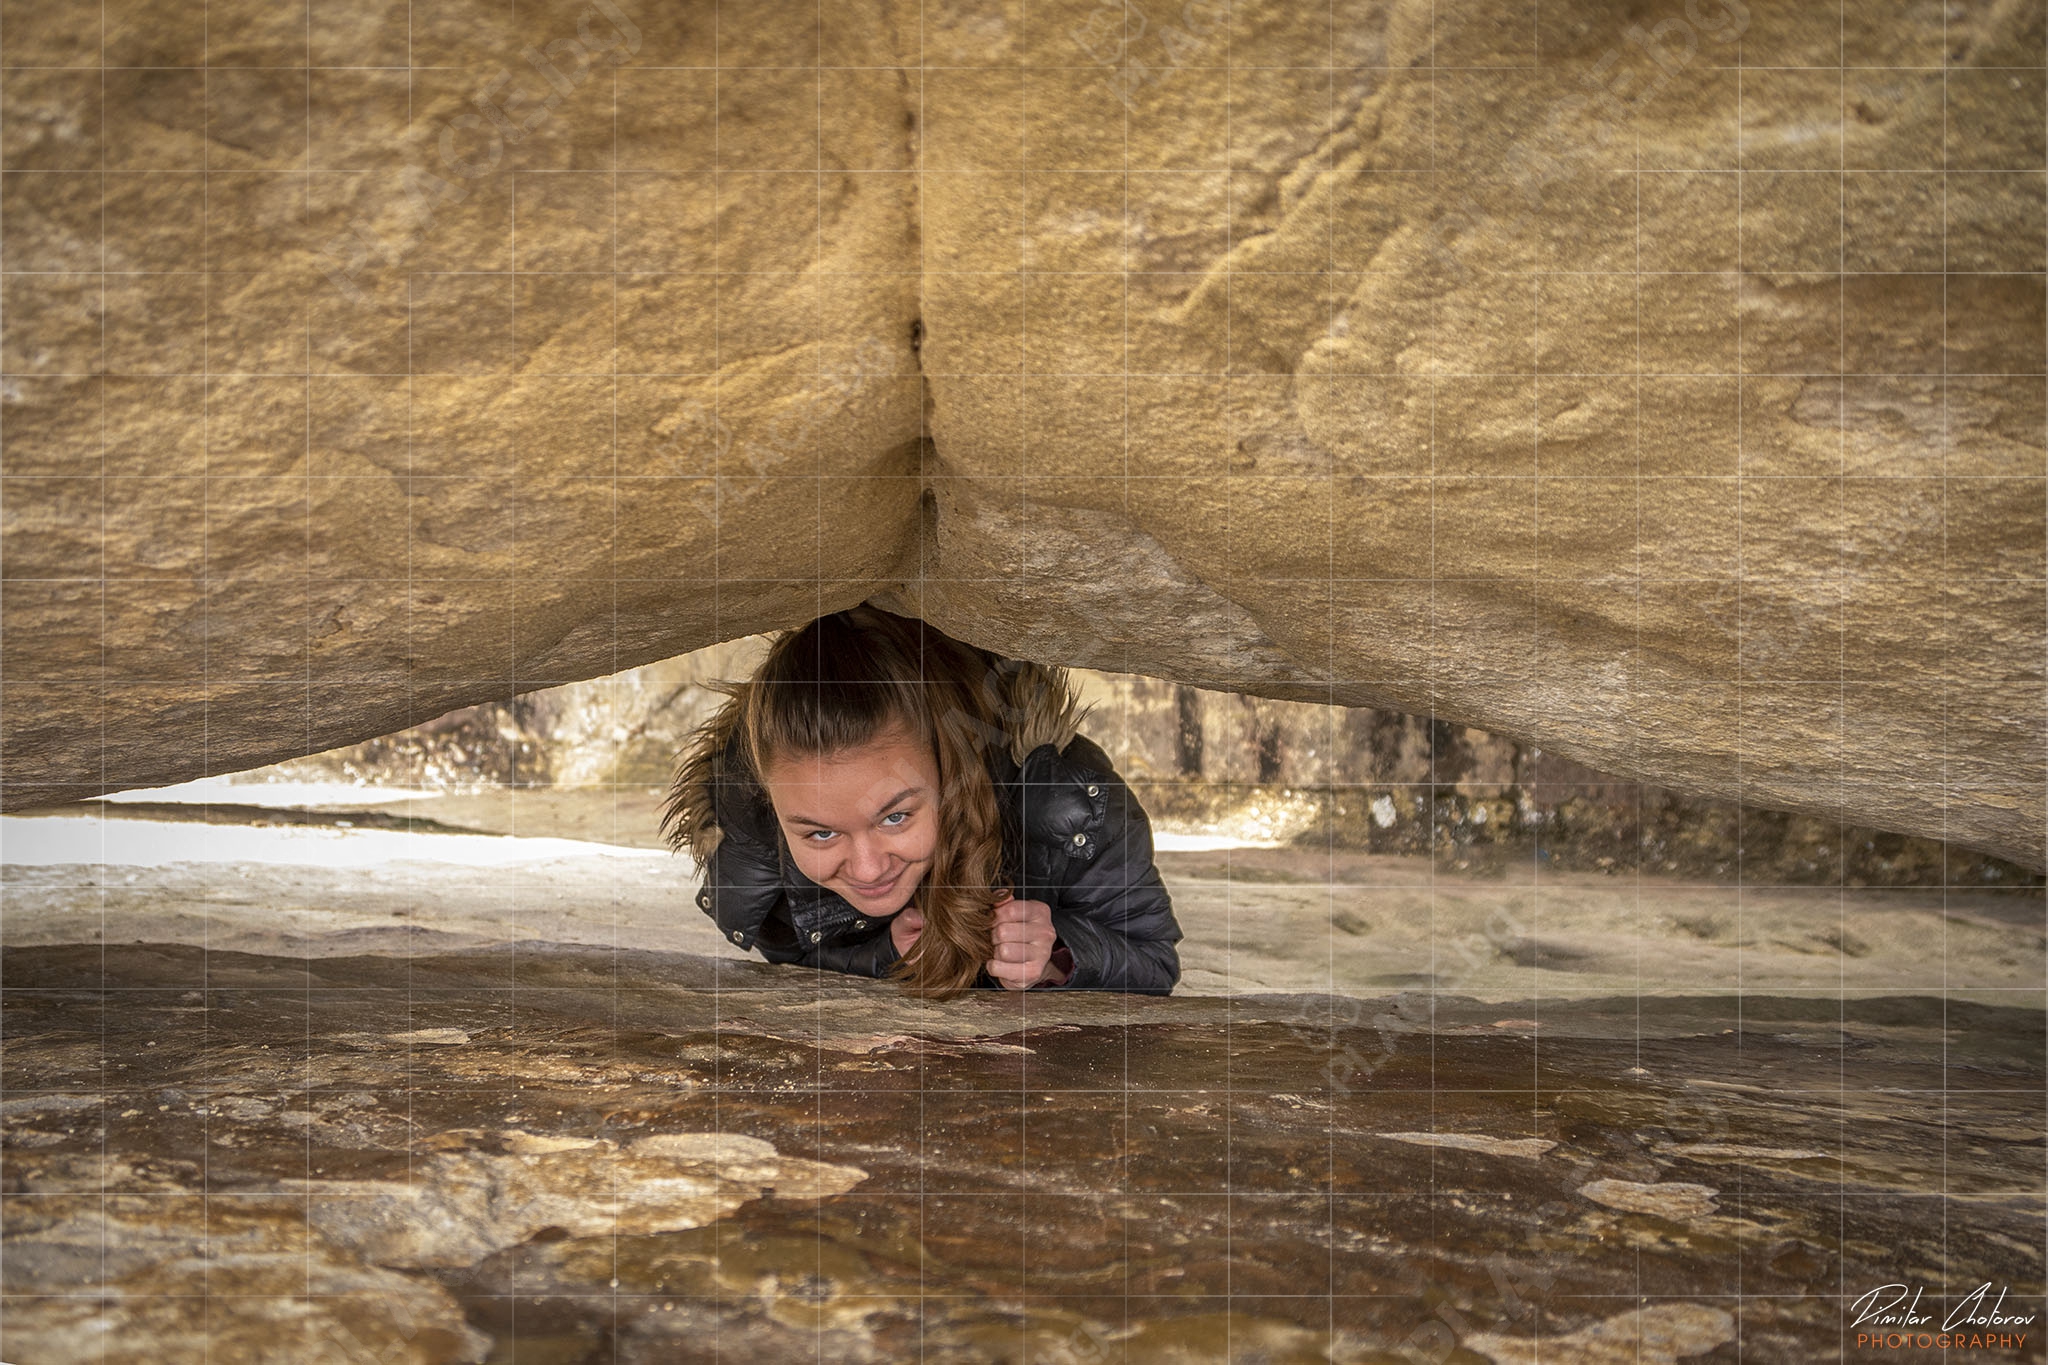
(886, 801)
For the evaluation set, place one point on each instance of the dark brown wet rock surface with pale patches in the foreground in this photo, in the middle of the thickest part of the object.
(617, 1155)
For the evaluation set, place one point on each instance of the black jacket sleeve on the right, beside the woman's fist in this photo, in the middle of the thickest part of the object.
(1115, 916)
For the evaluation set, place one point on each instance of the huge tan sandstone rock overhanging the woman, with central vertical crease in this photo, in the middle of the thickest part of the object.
(1551, 378)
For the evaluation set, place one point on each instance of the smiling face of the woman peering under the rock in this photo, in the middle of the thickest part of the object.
(861, 822)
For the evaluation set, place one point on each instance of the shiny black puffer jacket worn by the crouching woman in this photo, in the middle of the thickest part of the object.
(1074, 836)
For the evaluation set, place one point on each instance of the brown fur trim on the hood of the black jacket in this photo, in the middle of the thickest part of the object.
(1039, 707)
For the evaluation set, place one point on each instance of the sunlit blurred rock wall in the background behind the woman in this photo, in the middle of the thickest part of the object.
(593, 758)
